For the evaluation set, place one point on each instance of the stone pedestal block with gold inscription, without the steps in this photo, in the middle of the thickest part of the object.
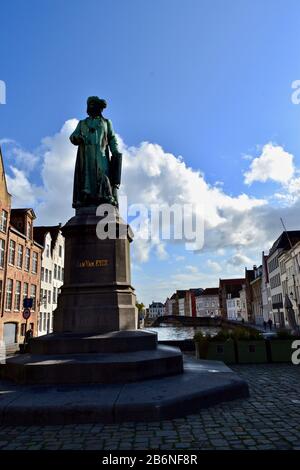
(97, 296)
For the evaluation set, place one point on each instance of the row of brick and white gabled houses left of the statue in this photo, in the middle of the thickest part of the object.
(31, 266)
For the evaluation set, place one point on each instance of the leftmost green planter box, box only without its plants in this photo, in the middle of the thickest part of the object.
(217, 351)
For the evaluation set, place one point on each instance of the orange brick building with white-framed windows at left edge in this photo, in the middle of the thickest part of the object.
(20, 267)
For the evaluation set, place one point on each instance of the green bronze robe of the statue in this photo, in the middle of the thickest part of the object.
(92, 183)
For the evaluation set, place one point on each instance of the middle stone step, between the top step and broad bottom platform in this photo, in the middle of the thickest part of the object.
(95, 368)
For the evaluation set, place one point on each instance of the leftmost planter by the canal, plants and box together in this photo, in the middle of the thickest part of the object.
(219, 347)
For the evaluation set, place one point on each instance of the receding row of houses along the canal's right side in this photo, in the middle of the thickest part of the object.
(270, 291)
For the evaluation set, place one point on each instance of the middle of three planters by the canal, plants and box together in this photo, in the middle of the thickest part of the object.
(250, 345)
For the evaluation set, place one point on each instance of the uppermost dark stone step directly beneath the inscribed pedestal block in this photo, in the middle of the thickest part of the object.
(113, 342)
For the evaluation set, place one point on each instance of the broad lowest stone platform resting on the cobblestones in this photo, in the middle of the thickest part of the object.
(203, 383)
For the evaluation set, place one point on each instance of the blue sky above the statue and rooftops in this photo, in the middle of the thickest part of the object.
(206, 80)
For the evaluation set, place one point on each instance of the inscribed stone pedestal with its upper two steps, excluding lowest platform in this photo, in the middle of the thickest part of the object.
(95, 337)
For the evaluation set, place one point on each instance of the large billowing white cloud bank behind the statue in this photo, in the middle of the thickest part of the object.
(153, 176)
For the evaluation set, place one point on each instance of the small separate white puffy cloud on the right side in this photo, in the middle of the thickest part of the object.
(274, 163)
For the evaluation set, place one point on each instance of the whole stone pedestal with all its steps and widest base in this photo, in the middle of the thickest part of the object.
(95, 341)
